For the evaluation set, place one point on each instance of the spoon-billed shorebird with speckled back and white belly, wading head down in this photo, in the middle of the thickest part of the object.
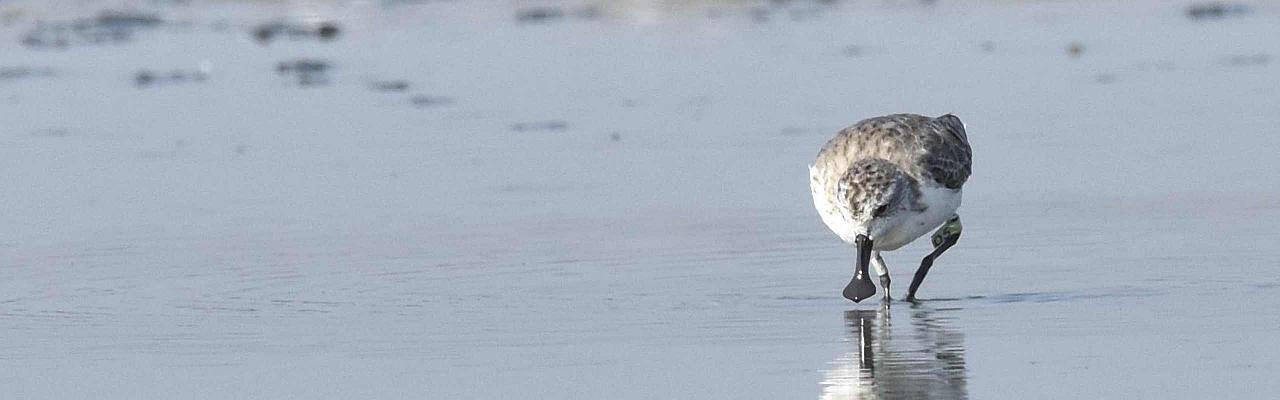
(886, 181)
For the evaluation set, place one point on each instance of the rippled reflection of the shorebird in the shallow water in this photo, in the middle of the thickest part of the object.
(921, 361)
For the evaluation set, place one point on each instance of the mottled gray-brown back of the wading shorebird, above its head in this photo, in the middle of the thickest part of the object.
(931, 151)
